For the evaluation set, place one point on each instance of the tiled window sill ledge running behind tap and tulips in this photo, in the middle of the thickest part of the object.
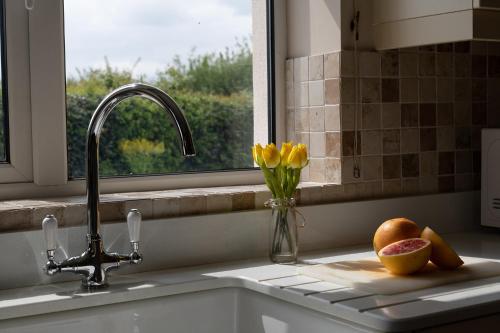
(19, 215)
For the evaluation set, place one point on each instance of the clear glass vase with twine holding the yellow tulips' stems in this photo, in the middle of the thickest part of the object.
(284, 231)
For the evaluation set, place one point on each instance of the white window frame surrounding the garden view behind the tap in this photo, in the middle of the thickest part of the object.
(47, 174)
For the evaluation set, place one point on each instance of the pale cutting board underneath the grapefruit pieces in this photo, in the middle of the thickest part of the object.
(369, 275)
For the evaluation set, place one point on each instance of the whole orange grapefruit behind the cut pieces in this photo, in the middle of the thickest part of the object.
(394, 230)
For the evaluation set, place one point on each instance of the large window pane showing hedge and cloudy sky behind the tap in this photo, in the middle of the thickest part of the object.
(198, 51)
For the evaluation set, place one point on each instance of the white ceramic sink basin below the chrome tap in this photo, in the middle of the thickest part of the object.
(226, 310)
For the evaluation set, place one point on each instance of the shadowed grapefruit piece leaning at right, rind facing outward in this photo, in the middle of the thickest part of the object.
(442, 254)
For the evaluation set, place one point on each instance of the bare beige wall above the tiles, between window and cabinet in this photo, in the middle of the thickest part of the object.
(322, 26)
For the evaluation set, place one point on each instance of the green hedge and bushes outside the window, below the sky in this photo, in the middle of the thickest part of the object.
(215, 92)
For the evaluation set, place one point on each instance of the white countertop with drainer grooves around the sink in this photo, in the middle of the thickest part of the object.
(383, 312)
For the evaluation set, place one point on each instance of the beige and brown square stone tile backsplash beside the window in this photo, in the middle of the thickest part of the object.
(419, 118)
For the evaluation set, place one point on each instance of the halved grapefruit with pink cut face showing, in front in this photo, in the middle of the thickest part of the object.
(406, 256)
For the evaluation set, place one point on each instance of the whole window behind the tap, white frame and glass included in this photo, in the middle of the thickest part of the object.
(211, 56)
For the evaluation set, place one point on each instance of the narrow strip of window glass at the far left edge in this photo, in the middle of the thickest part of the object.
(4, 121)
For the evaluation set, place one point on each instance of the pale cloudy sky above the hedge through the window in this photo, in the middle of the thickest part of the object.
(152, 30)
